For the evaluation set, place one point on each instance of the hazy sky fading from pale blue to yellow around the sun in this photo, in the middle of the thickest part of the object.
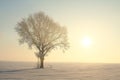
(93, 29)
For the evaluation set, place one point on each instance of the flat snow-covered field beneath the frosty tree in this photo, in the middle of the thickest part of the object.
(59, 71)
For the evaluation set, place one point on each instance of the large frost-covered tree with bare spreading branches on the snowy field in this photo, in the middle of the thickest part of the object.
(40, 31)
